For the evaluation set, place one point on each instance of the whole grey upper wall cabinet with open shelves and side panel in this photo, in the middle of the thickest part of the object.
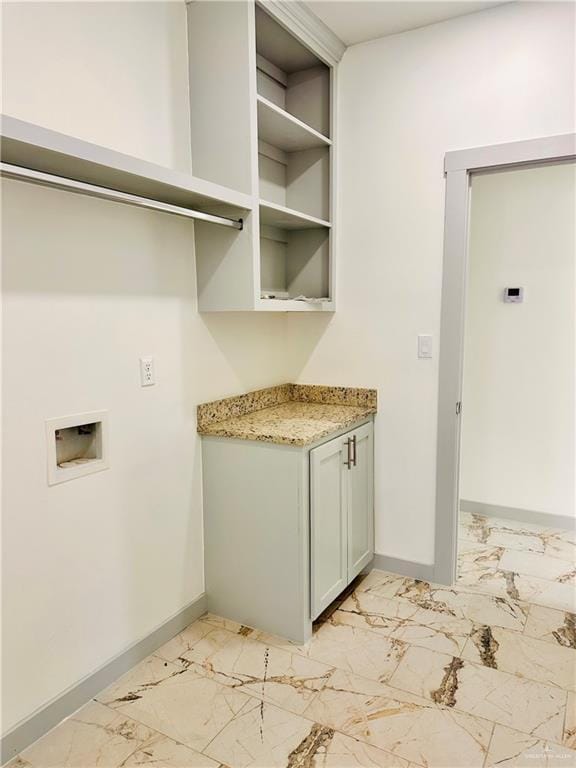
(274, 139)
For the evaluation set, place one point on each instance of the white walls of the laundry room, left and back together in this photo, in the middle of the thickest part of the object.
(92, 565)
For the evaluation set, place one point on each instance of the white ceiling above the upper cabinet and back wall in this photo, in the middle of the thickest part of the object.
(355, 21)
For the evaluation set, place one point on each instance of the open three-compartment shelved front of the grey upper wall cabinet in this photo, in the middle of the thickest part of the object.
(295, 160)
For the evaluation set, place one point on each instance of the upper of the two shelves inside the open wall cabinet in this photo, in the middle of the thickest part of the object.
(283, 130)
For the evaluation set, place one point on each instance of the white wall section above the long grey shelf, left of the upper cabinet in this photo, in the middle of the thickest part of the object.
(114, 73)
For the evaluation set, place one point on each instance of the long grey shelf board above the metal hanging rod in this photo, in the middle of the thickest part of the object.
(42, 149)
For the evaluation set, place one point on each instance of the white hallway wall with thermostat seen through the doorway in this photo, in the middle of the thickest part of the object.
(518, 418)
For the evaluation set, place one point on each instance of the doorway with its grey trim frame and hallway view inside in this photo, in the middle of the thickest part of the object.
(509, 248)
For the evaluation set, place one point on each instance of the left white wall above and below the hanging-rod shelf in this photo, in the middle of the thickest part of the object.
(93, 565)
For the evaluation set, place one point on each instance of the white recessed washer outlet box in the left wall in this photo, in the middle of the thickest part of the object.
(77, 445)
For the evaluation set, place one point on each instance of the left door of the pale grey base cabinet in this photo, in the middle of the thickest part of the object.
(329, 535)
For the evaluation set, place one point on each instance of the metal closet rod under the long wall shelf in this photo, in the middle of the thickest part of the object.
(83, 188)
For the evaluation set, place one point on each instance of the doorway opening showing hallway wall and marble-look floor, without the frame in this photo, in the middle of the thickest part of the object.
(516, 482)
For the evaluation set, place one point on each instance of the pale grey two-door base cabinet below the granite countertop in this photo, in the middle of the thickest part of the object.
(286, 528)
